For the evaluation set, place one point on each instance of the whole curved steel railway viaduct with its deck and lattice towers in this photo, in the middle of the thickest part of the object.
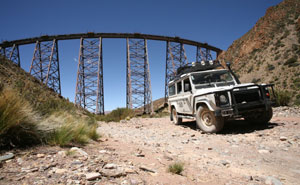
(89, 85)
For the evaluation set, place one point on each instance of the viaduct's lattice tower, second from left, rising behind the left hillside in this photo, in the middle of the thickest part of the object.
(45, 64)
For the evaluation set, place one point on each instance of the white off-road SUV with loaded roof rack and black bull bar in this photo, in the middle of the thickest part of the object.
(212, 94)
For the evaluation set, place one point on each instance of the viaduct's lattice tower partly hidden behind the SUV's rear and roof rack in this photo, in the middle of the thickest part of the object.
(175, 58)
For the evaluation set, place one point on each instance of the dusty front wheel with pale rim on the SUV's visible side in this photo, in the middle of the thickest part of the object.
(207, 121)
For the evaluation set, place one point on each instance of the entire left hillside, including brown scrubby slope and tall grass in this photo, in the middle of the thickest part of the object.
(31, 113)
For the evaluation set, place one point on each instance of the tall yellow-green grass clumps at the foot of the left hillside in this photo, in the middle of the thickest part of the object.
(20, 126)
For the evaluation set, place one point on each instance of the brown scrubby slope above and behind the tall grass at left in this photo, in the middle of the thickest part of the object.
(43, 99)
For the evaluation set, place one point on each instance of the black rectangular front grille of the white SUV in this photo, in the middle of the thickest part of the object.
(248, 96)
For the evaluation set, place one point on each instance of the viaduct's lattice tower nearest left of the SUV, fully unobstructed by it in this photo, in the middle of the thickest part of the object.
(138, 76)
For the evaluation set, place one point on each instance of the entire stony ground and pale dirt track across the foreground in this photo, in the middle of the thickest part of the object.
(140, 151)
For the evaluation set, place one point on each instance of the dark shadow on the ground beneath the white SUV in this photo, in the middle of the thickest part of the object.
(235, 127)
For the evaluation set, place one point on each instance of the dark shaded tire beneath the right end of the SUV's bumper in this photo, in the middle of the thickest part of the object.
(261, 118)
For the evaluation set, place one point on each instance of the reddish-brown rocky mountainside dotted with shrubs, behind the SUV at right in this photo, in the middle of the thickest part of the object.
(269, 52)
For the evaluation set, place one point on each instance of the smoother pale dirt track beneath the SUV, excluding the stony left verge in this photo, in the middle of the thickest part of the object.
(241, 154)
